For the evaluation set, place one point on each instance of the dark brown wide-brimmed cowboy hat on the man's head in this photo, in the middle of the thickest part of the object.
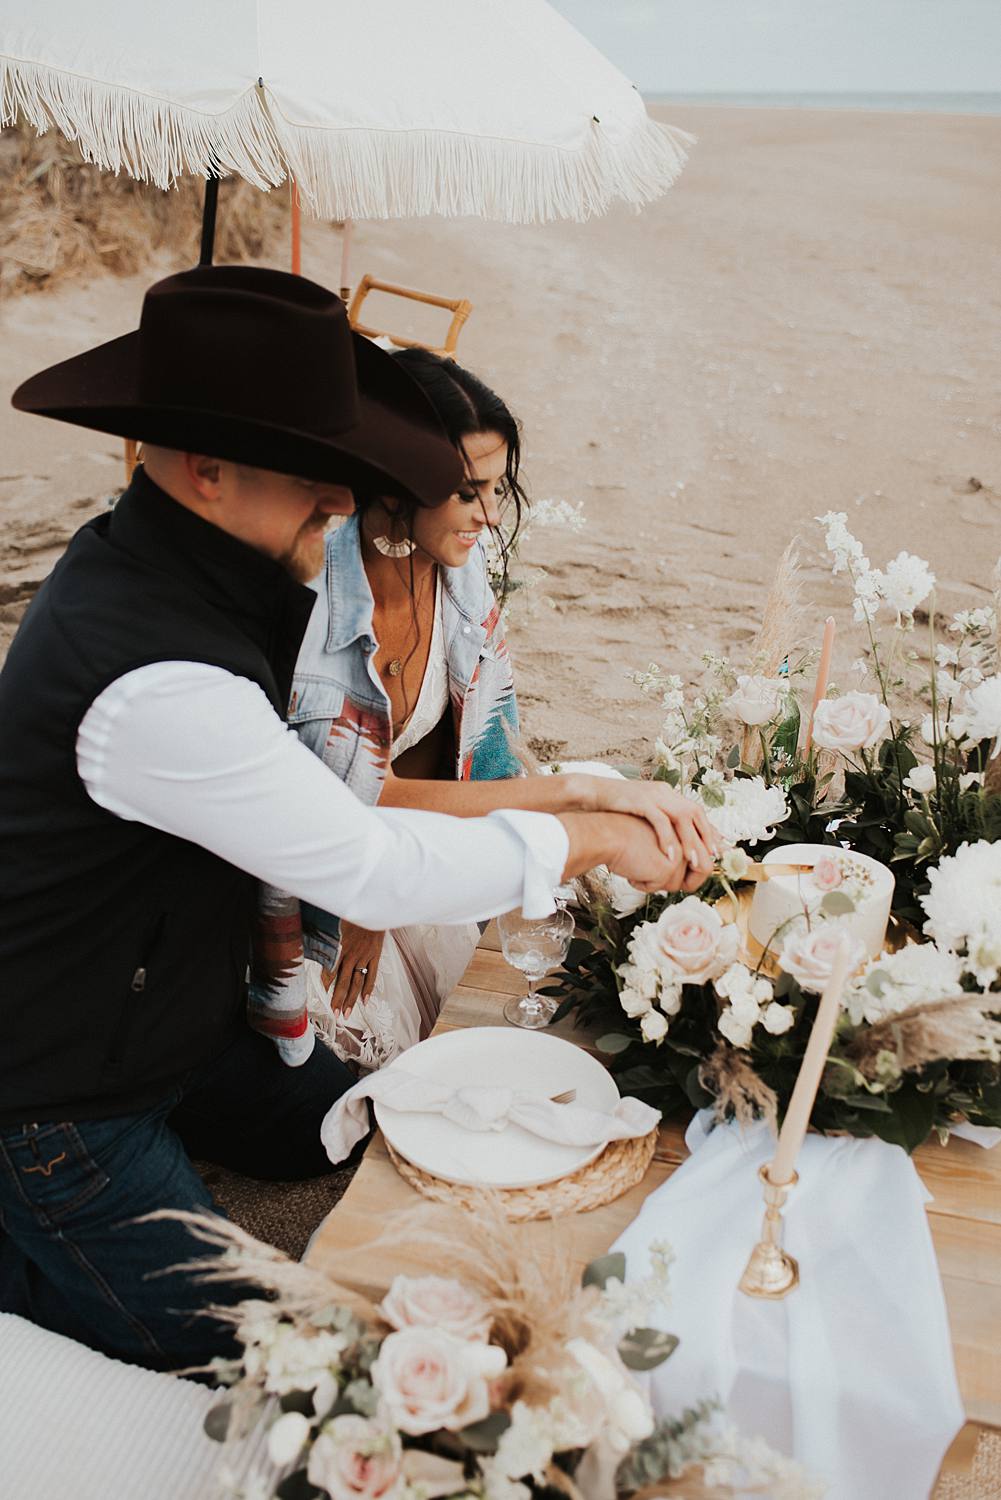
(262, 368)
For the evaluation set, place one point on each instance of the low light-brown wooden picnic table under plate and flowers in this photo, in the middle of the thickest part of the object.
(966, 1216)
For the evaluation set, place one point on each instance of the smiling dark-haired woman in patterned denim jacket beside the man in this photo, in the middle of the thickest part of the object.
(404, 689)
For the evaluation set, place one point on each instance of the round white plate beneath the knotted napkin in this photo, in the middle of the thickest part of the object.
(505, 1058)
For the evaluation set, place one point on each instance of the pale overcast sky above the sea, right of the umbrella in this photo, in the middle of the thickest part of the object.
(798, 46)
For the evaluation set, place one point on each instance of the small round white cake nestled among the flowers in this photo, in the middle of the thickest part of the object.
(781, 899)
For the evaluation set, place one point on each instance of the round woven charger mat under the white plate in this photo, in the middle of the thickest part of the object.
(616, 1171)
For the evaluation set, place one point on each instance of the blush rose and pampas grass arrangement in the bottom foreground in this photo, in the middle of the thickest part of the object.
(449, 1391)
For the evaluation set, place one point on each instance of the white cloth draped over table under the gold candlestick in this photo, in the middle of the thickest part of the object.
(853, 1373)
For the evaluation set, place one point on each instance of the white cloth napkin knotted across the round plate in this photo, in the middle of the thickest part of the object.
(479, 1109)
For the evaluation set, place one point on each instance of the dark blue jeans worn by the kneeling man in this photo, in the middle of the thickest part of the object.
(73, 1256)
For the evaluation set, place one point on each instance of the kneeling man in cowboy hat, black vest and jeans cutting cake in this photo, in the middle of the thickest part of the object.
(148, 781)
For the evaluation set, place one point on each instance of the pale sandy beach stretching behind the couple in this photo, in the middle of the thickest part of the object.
(811, 320)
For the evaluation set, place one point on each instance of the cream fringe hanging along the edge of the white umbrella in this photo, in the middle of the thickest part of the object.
(347, 173)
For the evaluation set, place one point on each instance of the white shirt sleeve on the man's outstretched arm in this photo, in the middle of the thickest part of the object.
(200, 754)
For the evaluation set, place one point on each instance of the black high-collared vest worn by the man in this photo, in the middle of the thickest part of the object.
(124, 950)
